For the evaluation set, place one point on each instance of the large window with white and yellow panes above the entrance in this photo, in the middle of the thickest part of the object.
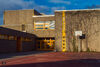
(44, 25)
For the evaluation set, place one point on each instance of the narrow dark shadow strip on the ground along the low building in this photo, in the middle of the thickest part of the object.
(5, 56)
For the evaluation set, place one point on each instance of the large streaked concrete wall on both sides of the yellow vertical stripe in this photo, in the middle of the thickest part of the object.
(88, 21)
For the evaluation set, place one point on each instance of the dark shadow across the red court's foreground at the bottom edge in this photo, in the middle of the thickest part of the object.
(66, 63)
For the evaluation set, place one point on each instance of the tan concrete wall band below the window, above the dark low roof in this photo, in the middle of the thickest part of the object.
(29, 28)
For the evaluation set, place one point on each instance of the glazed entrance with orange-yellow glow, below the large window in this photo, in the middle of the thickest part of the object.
(45, 44)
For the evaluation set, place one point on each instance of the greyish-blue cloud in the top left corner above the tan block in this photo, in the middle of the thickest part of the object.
(14, 4)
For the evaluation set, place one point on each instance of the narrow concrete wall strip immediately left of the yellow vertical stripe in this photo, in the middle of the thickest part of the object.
(58, 35)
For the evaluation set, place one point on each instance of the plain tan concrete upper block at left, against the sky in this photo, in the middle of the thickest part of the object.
(19, 16)
